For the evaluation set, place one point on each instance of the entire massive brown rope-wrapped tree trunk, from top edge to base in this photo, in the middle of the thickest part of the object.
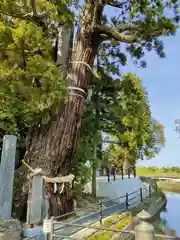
(52, 147)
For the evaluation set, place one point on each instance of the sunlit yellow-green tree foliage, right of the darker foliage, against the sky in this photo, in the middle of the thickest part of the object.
(137, 133)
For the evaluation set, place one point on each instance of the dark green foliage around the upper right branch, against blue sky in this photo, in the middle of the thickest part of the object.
(140, 24)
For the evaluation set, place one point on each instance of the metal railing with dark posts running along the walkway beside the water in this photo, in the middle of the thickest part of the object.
(102, 211)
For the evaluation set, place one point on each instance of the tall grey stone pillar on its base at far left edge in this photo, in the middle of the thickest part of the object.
(9, 228)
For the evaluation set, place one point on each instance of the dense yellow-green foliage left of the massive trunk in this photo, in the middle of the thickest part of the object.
(31, 85)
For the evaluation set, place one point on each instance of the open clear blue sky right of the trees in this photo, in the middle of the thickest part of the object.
(162, 80)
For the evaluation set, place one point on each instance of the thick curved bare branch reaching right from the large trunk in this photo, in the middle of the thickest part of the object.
(115, 34)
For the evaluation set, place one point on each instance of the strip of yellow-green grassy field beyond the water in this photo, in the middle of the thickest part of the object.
(158, 172)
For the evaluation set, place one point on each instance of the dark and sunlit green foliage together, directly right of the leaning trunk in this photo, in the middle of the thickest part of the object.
(125, 116)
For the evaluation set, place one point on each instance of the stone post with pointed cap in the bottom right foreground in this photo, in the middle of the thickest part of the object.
(144, 230)
